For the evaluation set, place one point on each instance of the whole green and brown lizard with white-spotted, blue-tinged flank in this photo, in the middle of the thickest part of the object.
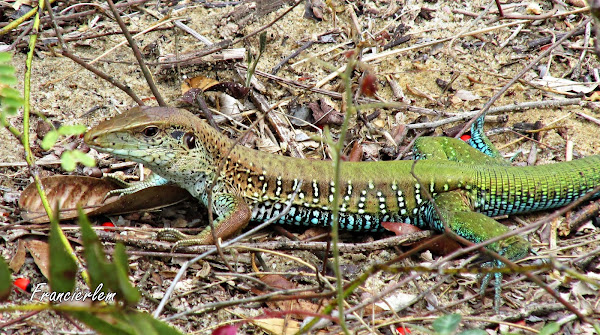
(467, 185)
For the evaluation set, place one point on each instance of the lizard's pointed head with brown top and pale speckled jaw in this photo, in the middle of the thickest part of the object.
(155, 136)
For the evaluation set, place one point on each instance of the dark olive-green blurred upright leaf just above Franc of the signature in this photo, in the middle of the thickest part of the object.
(63, 268)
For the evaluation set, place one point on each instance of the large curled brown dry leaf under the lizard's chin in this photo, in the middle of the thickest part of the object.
(70, 191)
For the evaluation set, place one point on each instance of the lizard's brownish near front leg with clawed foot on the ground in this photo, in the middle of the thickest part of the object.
(233, 214)
